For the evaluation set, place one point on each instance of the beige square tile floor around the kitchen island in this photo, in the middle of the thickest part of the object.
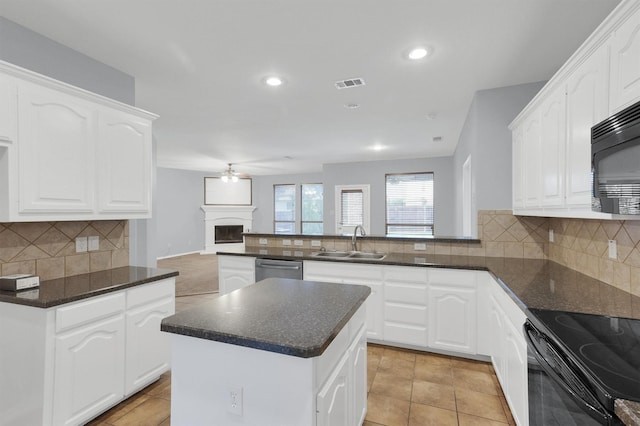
(405, 388)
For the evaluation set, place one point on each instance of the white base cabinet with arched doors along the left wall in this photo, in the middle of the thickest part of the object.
(85, 356)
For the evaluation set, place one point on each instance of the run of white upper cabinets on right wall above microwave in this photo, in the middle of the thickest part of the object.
(552, 135)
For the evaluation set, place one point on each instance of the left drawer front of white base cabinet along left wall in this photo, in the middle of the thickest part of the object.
(88, 311)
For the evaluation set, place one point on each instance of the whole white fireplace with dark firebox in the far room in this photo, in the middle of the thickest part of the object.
(224, 226)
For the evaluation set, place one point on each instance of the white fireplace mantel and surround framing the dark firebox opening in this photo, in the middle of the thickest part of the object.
(225, 215)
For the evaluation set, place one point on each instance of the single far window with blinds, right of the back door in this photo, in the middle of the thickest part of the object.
(409, 199)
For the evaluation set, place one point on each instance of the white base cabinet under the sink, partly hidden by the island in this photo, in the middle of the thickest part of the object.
(351, 273)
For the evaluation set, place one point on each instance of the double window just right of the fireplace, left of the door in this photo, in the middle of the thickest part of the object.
(286, 215)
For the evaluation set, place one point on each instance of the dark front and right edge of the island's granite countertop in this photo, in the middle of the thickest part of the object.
(300, 352)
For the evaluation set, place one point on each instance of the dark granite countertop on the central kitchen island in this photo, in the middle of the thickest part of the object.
(292, 317)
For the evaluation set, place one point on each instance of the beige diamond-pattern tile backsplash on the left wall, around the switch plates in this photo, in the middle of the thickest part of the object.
(48, 249)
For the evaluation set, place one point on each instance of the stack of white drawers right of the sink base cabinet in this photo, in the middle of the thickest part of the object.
(405, 305)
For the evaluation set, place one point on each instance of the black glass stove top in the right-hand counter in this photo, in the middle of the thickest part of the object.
(607, 349)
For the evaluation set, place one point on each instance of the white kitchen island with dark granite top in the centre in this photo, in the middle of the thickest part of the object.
(280, 352)
